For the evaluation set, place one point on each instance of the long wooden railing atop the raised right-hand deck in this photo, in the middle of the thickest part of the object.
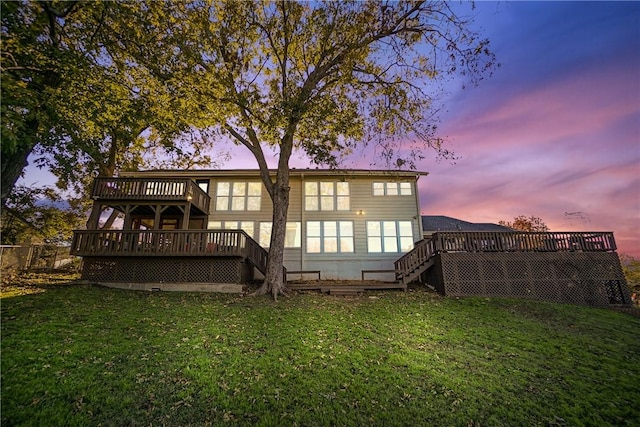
(524, 241)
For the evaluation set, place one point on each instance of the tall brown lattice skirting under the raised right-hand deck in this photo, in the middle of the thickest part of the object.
(594, 279)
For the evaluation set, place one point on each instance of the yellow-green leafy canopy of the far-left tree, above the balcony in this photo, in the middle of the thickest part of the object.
(72, 96)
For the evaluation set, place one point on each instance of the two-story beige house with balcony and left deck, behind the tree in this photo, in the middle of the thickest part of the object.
(340, 222)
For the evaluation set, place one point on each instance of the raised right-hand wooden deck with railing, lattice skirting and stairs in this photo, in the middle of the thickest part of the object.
(564, 267)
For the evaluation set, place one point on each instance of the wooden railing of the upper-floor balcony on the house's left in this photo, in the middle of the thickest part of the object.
(161, 189)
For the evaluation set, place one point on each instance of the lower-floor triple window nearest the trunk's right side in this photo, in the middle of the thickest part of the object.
(330, 237)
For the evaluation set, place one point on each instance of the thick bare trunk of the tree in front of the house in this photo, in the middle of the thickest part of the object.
(275, 282)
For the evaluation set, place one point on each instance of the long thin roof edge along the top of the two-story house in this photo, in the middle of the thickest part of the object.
(195, 173)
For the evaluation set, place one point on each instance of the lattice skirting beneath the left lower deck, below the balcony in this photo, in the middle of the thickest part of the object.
(166, 269)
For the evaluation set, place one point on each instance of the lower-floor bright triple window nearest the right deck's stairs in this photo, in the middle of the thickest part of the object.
(389, 236)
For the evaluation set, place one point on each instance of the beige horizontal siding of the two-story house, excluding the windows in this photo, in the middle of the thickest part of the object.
(364, 206)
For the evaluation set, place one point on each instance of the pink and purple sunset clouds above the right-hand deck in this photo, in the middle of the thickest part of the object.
(570, 146)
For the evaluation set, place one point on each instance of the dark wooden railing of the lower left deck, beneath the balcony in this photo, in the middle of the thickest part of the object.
(173, 243)
